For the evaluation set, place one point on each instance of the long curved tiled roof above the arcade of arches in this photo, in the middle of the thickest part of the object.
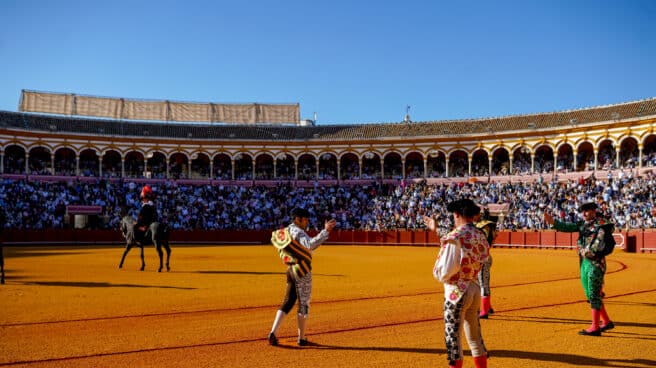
(33, 122)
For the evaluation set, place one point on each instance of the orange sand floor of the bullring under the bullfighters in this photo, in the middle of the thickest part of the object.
(371, 307)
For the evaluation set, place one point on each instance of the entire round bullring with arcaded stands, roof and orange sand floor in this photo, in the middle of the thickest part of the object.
(375, 303)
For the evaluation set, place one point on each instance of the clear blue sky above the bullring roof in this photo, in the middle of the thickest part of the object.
(348, 61)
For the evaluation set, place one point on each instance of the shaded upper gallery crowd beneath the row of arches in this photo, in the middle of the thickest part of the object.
(40, 163)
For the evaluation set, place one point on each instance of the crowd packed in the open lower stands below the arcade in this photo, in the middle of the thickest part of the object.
(625, 199)
